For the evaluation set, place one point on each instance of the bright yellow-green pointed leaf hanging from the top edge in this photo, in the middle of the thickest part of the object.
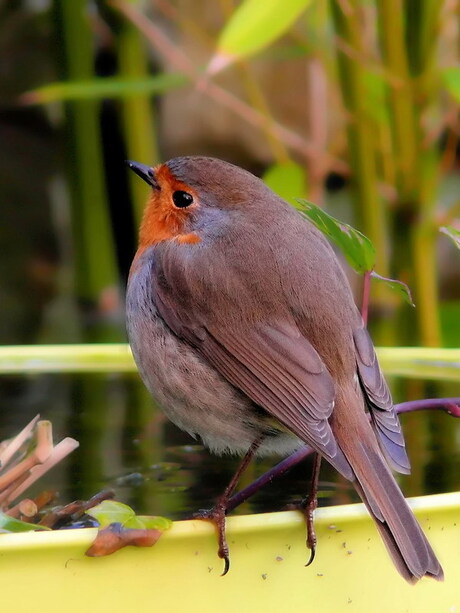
(254, 25)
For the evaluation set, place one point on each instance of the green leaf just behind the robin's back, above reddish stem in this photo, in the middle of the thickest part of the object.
(357, 248)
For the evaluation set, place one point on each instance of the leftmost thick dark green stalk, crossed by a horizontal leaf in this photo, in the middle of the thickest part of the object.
(94, 248)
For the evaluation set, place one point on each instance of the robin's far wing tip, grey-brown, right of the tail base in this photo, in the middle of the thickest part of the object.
(384, 418)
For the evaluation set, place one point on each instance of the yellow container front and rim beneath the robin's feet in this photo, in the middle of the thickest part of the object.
(352, 571)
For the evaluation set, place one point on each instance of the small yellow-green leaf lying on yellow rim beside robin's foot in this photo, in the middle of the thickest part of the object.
(113, 512)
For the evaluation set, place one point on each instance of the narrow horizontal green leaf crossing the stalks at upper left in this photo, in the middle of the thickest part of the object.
(103, 87)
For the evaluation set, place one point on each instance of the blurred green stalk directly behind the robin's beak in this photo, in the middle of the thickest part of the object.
(137, 111)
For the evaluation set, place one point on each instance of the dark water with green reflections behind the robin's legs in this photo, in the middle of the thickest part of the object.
(127, 444)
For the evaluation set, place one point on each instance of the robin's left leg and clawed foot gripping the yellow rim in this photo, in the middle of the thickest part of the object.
(217, 513)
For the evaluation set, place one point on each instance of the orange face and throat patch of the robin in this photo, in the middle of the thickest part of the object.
(162, 219)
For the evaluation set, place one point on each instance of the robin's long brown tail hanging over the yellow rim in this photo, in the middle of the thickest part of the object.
(400, 531)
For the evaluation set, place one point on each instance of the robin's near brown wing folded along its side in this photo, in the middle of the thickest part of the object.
(273, 364)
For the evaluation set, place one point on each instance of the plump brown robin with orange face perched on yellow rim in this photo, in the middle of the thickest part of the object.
(243, 326)
